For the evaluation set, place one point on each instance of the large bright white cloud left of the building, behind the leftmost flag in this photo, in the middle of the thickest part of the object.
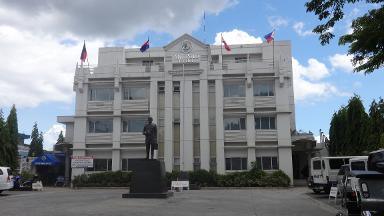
(37, 68)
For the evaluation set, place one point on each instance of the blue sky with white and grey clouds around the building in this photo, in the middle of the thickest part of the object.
(41, 42)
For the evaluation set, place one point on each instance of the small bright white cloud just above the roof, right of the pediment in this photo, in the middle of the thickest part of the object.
(237, 37)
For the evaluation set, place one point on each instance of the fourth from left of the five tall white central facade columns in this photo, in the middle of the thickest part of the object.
(204, 126)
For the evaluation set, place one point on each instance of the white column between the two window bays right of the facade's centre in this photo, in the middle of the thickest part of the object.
(249, 103)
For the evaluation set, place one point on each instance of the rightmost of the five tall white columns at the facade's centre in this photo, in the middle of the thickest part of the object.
(220, 159)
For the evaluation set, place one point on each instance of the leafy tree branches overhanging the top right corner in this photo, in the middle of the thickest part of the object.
(366, 42)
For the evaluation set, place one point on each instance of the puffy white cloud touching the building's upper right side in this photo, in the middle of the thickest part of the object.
(309, 84)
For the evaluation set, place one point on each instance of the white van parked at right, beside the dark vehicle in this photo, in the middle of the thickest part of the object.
(323, 172)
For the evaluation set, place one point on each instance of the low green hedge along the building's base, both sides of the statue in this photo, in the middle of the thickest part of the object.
(201, 178)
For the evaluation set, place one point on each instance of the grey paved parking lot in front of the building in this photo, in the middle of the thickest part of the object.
(238, 202)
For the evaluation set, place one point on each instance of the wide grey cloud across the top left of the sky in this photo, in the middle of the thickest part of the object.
(103, 19)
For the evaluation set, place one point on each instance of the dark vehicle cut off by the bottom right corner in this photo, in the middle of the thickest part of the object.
(367, 187)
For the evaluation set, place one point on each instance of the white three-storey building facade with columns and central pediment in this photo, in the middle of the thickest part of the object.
(215, 109)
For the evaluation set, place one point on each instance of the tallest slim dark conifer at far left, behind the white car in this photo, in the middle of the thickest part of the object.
(13, 138)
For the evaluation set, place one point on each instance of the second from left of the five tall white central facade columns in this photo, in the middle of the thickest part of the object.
(168, 127)
